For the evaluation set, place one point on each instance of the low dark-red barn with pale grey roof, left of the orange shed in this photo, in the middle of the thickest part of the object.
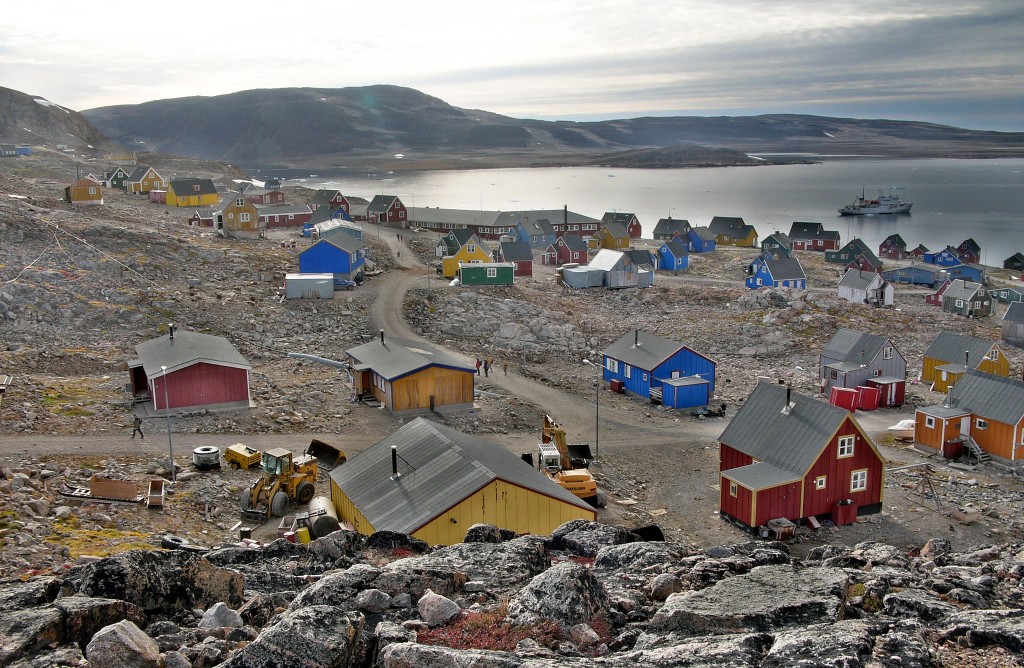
(199, 370)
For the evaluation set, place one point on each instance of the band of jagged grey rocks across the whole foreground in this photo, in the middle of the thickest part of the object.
(588, 596)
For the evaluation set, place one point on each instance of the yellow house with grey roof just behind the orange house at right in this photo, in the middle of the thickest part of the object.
(951, 356)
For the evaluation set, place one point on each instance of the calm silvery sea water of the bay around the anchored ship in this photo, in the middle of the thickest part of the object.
(954, 200)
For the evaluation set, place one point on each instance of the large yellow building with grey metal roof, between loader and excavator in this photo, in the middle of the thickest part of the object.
(434, 483)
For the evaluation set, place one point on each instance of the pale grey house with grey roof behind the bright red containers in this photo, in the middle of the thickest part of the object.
(854, 358)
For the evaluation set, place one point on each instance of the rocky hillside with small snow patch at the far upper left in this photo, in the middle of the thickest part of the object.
(31, 120)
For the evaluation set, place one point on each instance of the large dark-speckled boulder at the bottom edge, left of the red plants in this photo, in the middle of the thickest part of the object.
(318, 637)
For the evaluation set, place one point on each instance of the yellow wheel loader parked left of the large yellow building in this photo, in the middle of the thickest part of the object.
(286, 477)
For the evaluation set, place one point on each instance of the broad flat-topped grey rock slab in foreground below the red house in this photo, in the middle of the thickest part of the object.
(767, 599)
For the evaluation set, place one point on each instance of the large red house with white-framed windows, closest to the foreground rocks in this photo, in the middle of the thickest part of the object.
(785, 455)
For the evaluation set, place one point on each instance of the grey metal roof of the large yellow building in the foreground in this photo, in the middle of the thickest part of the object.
(440, 468)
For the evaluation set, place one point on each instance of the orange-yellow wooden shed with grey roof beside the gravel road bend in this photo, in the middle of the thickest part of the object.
(410, 378)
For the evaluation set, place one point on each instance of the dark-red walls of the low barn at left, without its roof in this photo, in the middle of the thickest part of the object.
(201, 385)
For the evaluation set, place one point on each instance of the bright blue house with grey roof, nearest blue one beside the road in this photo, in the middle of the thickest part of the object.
(662, 371)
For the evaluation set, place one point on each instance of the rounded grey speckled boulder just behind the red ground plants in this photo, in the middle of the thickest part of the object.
(568, 594)
